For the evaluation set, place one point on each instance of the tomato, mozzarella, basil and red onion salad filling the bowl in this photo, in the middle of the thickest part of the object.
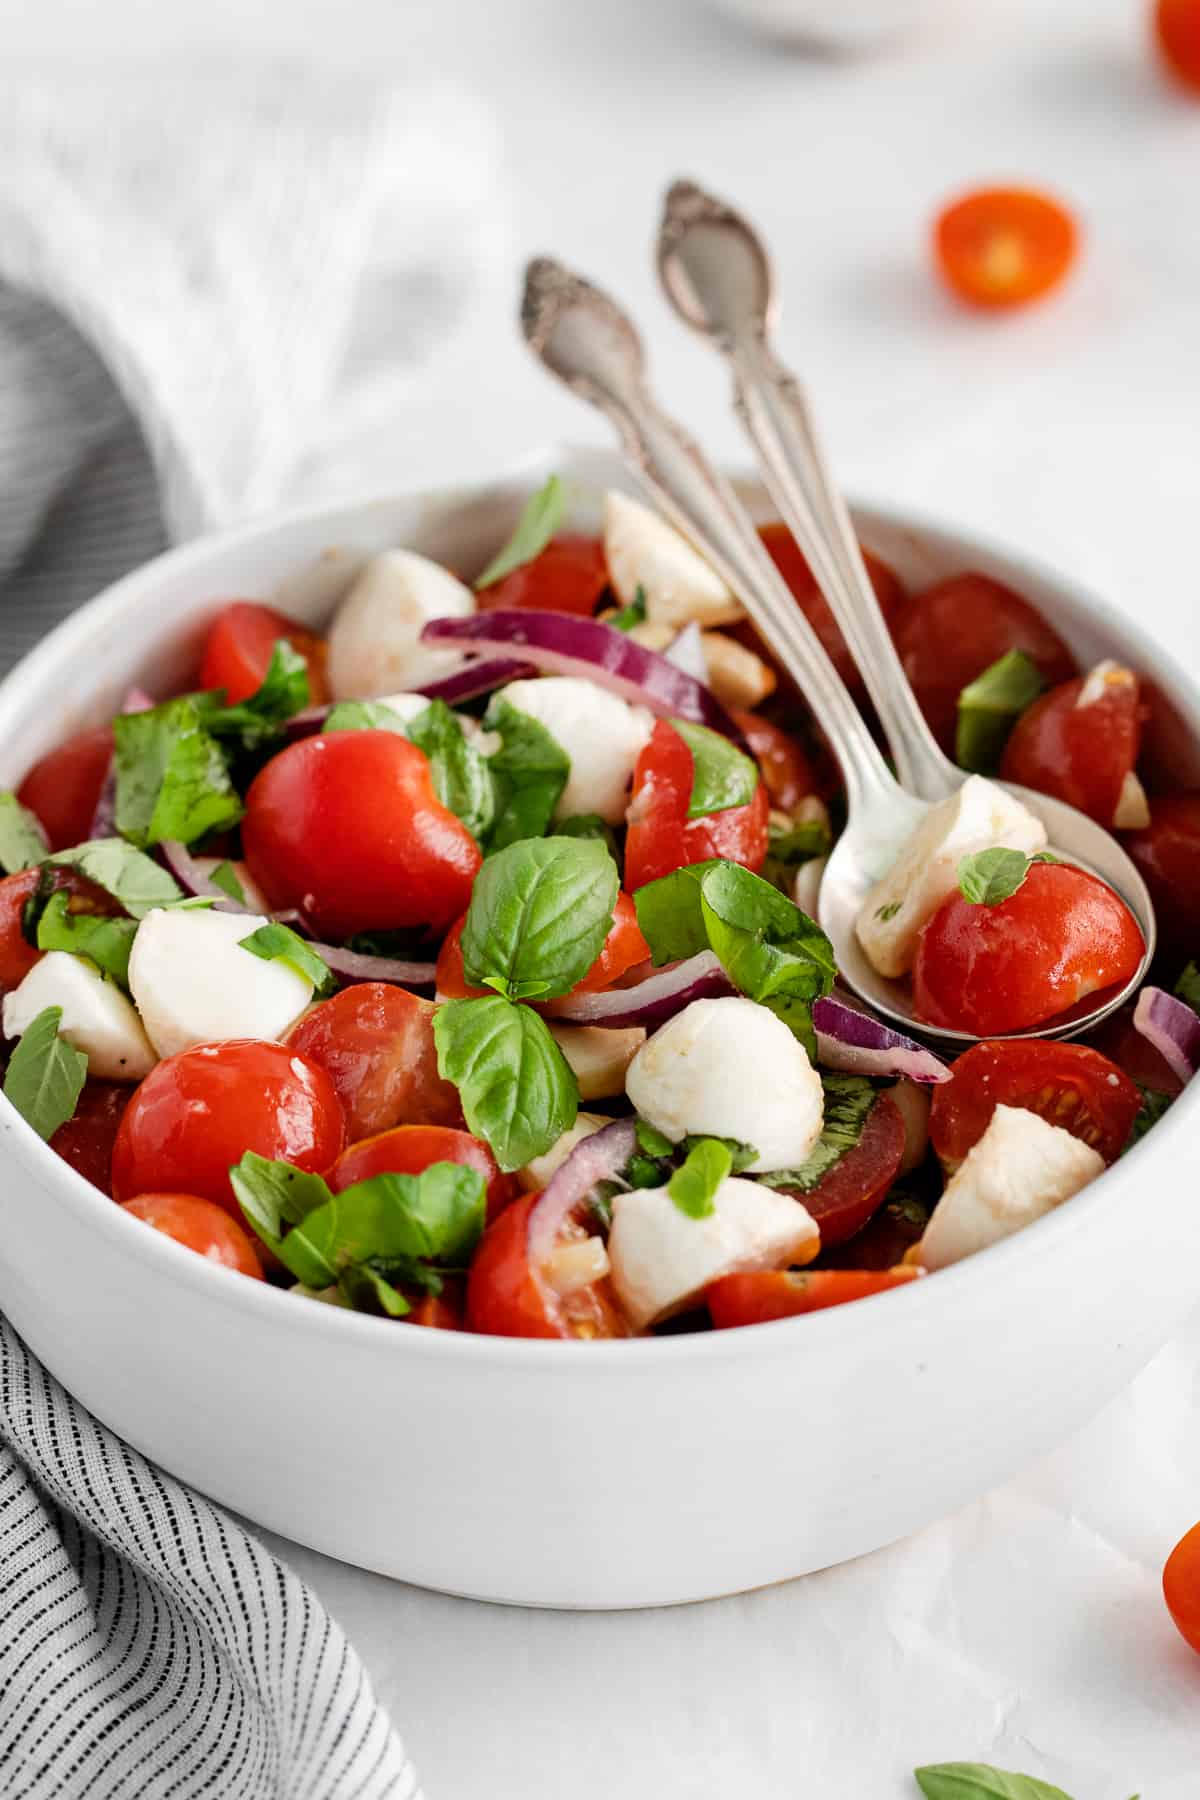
(460, 966)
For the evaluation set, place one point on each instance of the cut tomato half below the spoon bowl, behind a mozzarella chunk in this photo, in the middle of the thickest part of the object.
(1066, 1084)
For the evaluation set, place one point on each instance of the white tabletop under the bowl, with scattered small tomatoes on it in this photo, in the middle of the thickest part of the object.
(1028, 1630)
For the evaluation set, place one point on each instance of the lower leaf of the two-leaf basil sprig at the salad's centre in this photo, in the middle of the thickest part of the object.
(517, 1090)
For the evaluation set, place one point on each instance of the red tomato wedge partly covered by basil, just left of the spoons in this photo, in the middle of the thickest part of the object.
(661, 834)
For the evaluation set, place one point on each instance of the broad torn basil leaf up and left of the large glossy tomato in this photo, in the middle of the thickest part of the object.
(172, 777)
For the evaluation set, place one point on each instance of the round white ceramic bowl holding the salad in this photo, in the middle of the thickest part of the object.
(569, 1475)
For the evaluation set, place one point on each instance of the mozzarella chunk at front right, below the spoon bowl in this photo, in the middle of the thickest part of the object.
(1017, 1173)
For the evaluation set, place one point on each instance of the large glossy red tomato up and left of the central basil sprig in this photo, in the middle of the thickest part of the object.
(350, 829)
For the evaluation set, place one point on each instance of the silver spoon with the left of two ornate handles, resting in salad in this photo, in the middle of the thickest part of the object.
(586, 339)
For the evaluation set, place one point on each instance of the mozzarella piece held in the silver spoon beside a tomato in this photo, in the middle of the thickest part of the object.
(981, 816)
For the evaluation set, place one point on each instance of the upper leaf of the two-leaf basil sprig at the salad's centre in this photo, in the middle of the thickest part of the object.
(539, 917)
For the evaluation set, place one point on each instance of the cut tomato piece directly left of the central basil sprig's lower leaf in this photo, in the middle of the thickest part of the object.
(377, 1047)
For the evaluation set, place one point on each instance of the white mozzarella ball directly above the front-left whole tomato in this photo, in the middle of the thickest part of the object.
(193, 984)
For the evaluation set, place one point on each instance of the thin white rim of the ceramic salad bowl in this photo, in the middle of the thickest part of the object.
(262, 1300)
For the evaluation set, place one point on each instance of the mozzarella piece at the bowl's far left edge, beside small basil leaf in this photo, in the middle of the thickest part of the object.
(98, 1020)
